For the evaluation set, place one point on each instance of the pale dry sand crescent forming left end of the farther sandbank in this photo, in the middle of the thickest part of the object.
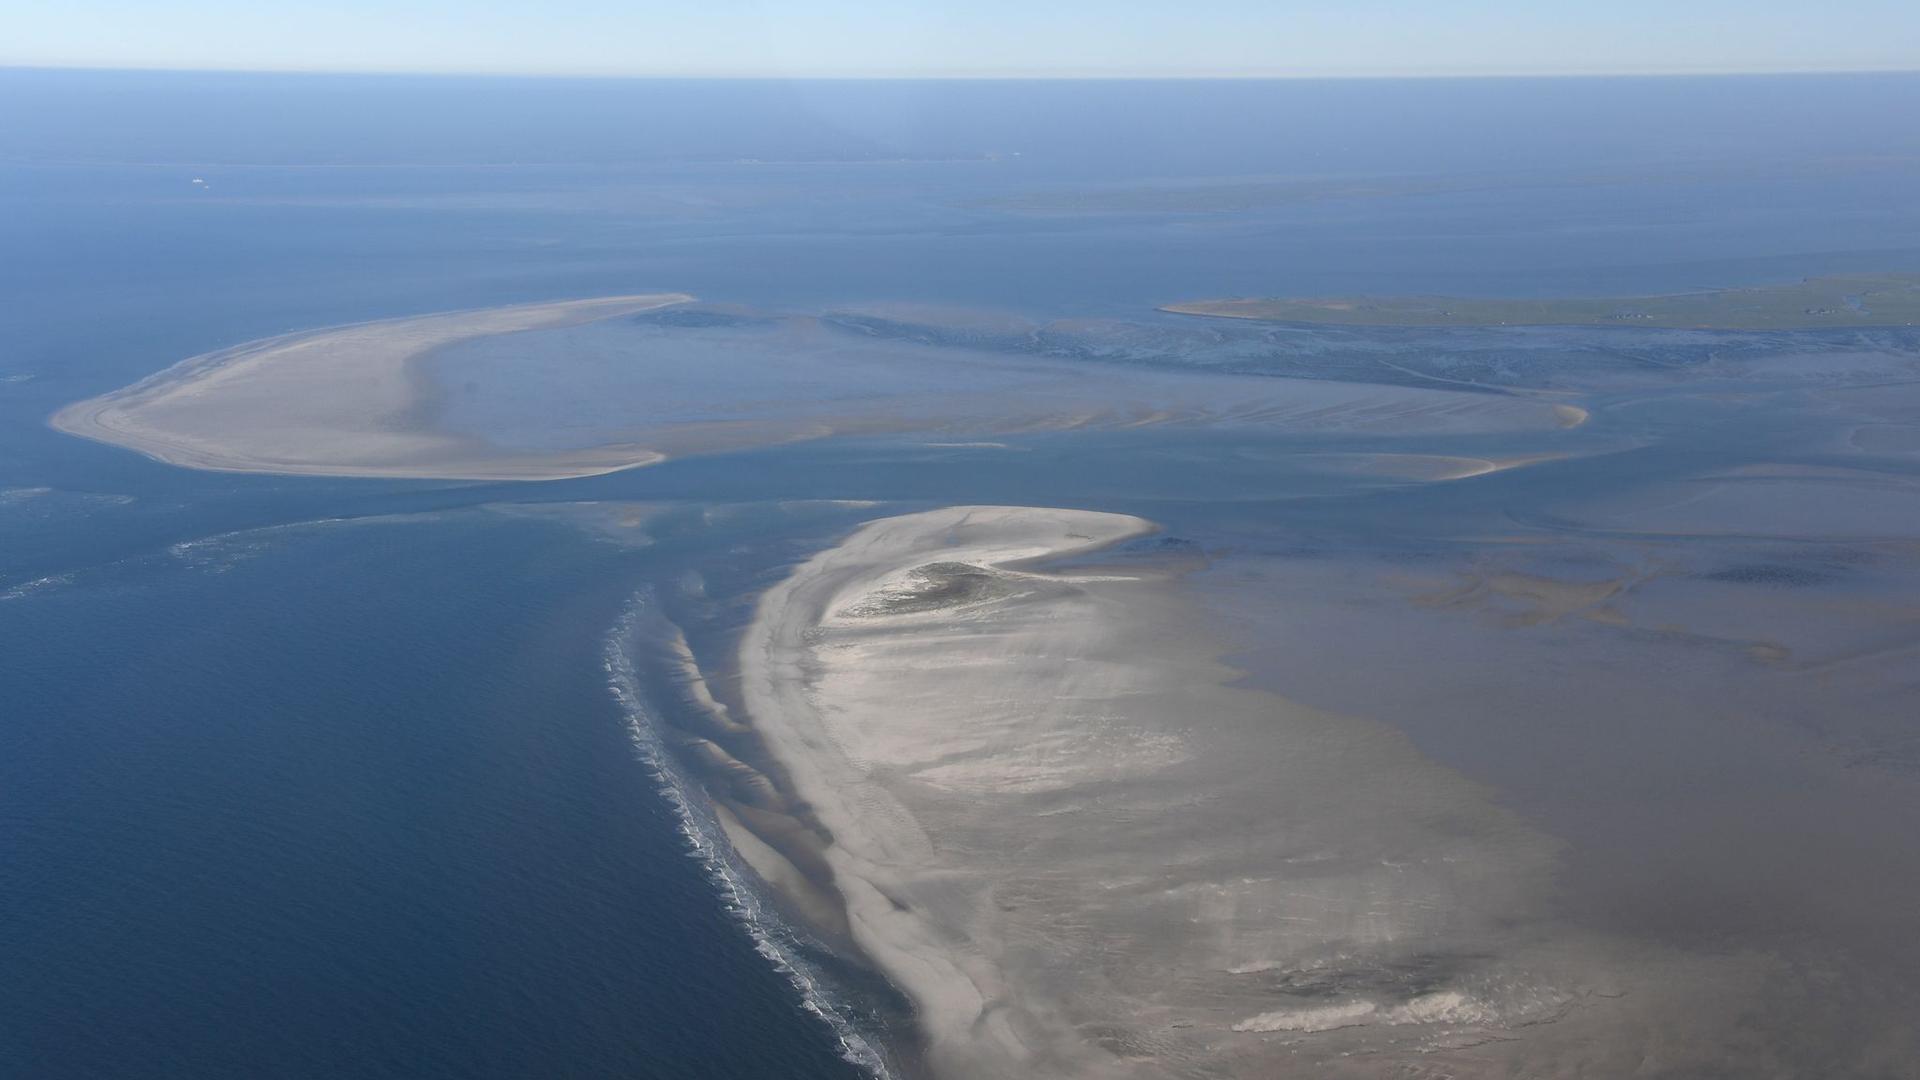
(341, 403)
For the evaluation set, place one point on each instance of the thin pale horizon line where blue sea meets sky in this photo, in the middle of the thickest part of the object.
(976, 76)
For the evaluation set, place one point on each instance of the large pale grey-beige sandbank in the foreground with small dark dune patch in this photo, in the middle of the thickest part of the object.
(1082, 852)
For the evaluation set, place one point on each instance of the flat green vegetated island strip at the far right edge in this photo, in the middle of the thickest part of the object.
(1817, 303)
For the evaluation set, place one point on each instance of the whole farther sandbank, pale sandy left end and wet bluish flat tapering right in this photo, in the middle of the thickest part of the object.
(556, 391)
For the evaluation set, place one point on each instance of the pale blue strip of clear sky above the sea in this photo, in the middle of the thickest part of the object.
(969, 37)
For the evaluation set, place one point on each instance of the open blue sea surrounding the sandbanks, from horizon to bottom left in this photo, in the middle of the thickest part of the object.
(325, 777)
